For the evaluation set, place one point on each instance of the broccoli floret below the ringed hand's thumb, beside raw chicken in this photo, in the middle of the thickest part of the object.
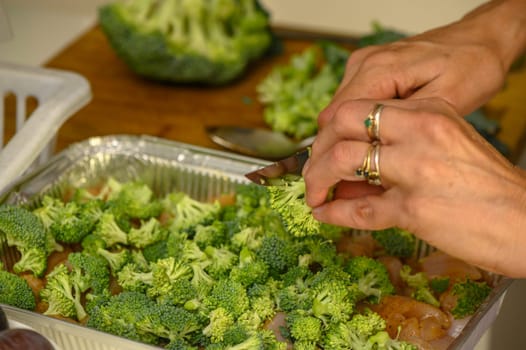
(371, 278)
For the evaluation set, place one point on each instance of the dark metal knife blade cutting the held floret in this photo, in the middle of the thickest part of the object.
(292, 165)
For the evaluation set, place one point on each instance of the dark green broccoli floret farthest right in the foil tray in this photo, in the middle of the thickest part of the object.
(469, 296)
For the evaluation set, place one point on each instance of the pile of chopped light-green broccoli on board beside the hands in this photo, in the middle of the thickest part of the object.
(294, 94)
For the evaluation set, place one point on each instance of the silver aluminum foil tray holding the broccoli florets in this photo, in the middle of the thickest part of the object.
(165, 166)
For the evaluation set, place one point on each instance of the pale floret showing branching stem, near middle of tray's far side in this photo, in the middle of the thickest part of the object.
(187, 212)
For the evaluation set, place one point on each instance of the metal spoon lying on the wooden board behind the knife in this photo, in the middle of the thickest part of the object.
(256, 142)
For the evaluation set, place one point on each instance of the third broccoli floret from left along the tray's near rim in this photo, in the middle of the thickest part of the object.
(122, 313)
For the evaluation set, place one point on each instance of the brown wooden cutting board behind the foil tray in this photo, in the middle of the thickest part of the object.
(126, 104)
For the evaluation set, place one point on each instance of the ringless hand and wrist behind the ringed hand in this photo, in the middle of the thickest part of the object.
(463, 63)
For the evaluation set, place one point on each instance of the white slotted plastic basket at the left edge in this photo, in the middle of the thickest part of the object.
(58, 95)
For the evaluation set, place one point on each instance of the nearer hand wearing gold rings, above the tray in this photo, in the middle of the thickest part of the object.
(440, 180)
